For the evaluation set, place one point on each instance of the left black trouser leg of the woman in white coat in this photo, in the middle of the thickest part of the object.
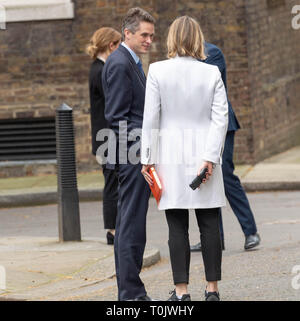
(179, 245)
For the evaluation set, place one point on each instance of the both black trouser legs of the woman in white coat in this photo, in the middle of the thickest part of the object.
(179, 245)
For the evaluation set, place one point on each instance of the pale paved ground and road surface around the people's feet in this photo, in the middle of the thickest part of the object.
(35, 265)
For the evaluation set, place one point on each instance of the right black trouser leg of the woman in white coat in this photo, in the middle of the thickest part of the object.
(208, 222)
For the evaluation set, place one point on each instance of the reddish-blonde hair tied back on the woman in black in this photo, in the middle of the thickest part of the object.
(100, 41)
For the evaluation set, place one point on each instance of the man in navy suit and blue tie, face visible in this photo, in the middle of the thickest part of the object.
(124, 84)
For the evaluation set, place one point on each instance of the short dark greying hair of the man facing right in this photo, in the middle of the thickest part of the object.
(133, 18)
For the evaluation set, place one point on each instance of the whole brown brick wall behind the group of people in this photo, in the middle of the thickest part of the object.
(43, 64)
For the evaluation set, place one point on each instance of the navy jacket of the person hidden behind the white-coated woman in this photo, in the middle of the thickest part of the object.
(216, 57)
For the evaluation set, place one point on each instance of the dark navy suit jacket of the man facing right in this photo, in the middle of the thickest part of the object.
(124, 89)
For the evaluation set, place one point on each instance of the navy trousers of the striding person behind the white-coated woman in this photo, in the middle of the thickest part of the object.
(234, 191)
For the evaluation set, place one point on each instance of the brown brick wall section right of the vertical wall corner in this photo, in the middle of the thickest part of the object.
(274, 73)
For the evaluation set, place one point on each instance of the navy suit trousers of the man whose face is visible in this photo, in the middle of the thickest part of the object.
(130, 236)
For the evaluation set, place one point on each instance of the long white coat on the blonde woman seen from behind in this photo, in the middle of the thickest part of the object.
(185, 123)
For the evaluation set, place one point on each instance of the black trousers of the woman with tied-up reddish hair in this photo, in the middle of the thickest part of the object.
(110, 198)
